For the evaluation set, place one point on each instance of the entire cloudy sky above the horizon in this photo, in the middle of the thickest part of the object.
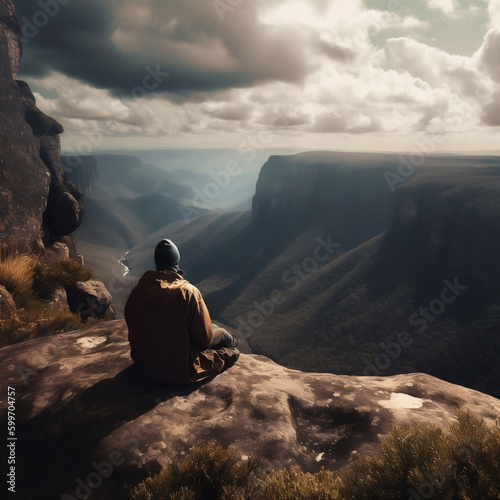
(317, 74)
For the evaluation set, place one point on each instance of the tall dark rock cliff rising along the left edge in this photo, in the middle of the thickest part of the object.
(37, 204)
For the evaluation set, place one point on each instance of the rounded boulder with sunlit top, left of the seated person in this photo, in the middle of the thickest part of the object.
(89, 299)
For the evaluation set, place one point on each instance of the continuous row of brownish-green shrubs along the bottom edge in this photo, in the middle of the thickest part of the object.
(413, 463)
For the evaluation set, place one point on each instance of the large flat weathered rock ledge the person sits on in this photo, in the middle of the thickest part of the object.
(79, 405)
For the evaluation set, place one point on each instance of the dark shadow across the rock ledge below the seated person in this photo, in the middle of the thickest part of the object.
(55, 449)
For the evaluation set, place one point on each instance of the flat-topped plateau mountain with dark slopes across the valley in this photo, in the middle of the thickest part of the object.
(355, 263)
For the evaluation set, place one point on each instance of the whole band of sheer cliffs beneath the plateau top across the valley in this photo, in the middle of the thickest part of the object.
(446, 212)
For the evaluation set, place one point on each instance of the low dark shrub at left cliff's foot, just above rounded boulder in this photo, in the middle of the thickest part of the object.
(64, 273)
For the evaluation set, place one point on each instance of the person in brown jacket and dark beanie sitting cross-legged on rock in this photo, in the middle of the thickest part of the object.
(171, 335)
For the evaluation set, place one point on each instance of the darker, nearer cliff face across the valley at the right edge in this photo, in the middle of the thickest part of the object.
(451, 223)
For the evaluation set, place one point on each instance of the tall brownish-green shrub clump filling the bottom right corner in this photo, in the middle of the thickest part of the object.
(423, 462)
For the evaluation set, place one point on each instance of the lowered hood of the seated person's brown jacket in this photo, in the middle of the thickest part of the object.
(162, 287)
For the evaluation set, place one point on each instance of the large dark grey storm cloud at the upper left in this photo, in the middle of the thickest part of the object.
(115, 44)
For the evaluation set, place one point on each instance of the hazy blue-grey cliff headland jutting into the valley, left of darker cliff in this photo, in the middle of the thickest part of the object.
(347, 193)
